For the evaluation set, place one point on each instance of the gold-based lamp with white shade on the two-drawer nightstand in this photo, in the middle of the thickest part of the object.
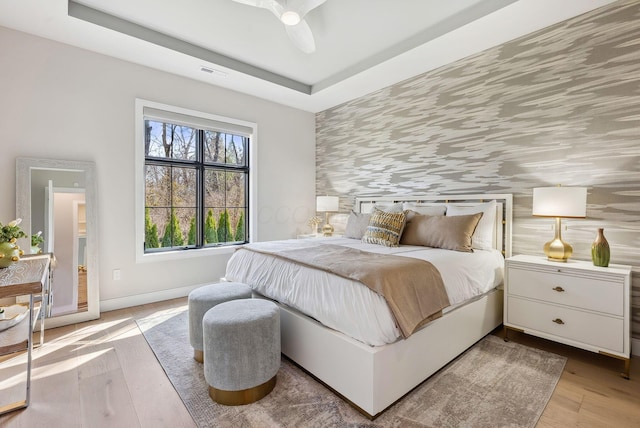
(559, 202)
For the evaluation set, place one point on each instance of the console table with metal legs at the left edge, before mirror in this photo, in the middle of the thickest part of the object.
(28, 276)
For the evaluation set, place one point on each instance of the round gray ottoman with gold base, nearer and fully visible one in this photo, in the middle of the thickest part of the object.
(242, 350)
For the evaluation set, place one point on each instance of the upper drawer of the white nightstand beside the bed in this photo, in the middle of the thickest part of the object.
(571, 290)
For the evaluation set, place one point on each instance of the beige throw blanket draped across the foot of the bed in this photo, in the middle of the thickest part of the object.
(413, 288)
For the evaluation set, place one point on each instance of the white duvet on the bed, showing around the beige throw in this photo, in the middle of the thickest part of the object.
(347, 305)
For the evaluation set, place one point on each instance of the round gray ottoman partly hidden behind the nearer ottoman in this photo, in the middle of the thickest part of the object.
(206, 297)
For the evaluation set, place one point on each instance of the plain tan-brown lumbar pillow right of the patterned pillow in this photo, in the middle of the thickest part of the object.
(450, 233)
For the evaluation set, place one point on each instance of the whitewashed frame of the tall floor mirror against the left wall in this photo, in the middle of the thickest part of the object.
(23, 211)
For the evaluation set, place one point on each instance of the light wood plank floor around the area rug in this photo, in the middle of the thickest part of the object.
(103, 374)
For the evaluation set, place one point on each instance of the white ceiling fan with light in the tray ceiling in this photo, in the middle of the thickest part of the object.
(291, 13)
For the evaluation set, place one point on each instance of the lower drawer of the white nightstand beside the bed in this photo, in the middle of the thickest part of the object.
(599, 331)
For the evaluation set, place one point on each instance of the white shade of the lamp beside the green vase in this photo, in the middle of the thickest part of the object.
(559, 201)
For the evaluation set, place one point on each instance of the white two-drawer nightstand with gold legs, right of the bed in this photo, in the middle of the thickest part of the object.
(574, 303)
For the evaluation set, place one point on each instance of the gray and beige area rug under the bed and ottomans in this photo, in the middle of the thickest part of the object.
(493, 384)
